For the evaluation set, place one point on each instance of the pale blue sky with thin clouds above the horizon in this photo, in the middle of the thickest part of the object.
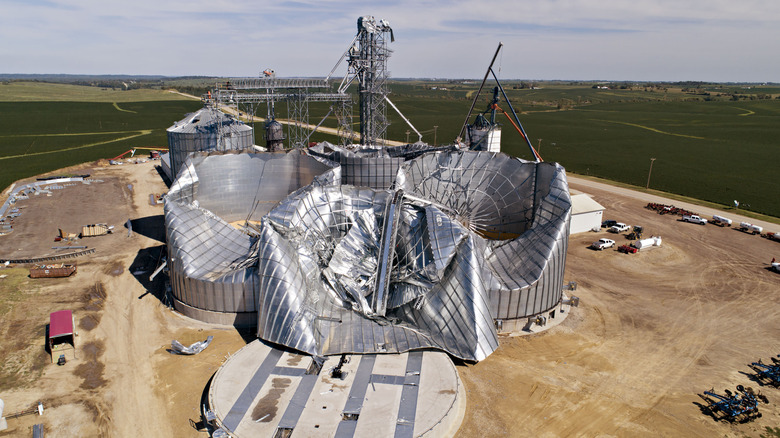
(632, 40)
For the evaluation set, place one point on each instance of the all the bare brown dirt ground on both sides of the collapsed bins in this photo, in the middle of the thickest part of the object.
(652, 330)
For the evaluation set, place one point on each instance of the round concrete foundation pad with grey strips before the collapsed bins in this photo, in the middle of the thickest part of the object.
(264, 391)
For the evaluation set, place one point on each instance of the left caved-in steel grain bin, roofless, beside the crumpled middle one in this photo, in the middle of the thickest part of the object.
(211, 212)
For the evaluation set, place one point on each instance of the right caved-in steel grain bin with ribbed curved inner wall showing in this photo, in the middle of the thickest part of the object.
(527, 202)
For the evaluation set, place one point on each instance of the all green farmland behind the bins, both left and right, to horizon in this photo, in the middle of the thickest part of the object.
(711, 142)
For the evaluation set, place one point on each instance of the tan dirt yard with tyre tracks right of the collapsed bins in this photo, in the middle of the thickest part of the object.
(652, 331)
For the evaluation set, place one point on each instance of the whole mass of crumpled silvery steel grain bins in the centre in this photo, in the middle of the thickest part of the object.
(428, 254)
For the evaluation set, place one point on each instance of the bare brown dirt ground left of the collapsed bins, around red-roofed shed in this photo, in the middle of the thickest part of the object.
(123, 381)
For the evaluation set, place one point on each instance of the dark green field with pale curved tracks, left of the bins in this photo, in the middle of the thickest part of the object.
(39, 137)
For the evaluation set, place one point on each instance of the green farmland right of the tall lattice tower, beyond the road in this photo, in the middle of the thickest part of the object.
(718, 150)
